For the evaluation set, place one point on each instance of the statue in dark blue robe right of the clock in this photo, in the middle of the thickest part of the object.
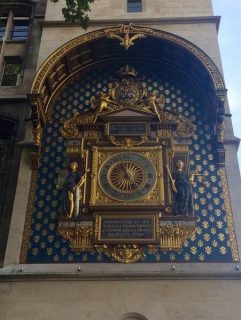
(182, 190)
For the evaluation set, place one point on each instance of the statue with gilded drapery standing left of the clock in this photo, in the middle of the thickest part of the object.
(72, 191)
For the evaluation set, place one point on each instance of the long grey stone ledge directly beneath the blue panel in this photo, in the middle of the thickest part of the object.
(122, 272)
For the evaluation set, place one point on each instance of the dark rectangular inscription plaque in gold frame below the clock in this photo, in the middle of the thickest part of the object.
(128, 229)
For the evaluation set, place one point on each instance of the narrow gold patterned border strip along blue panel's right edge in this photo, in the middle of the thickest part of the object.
(229, 215)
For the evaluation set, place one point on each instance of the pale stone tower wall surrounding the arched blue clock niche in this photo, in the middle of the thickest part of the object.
(156, 291)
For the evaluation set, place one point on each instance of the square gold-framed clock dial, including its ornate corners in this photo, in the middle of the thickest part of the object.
(127, 176)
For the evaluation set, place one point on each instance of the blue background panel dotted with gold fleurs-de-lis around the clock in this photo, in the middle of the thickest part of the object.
(212, 240)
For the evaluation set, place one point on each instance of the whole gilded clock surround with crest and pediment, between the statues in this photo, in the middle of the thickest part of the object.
(129, 145)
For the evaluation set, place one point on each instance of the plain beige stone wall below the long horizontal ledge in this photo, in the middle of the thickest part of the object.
(104, 300)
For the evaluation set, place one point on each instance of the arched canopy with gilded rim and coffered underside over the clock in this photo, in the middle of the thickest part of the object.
(110, 44)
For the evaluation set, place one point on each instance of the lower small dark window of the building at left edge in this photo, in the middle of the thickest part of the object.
(11, 72)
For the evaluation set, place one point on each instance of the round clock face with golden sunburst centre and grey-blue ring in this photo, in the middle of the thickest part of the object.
(127, 176)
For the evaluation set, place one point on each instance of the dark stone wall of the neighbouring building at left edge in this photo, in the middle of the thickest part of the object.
(15, 108)
